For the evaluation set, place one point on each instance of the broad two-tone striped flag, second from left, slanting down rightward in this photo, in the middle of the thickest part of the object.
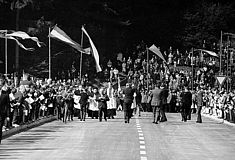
(59, 34)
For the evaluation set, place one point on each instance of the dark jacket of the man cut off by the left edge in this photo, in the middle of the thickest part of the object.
(4, 105)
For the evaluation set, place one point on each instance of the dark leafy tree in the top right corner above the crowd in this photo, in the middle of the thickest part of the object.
(204, 23)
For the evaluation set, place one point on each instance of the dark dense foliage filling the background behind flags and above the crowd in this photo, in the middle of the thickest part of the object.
(115, 26)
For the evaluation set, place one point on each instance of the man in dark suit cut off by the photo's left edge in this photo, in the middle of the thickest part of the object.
(4, 105)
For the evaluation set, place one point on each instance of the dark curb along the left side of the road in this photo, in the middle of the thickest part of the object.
(26, 127)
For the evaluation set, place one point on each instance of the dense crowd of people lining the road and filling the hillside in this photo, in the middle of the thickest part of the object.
(150, 86)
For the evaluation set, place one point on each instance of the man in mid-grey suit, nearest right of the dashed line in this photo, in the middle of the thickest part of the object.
(155, 103)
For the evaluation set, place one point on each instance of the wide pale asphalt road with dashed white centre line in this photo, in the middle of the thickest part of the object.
(116, 140)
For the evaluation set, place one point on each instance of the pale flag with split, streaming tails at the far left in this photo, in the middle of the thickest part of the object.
(19, 35)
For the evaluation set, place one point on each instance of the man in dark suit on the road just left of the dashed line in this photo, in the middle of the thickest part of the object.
(128, 94)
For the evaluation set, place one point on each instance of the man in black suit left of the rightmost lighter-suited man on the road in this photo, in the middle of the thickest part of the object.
(186, 103)
